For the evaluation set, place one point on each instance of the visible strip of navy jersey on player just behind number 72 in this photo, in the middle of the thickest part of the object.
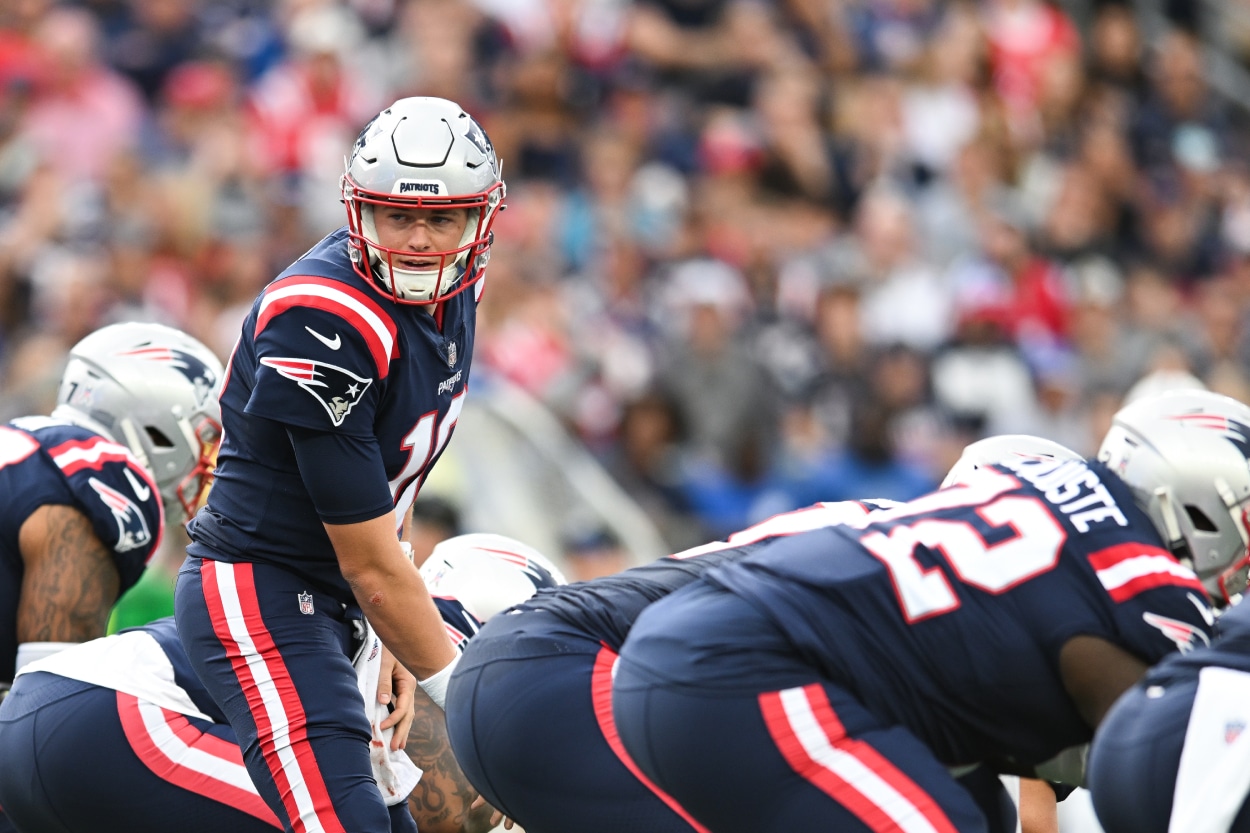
(606, 608)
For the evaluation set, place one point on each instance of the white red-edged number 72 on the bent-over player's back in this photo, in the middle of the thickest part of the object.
(1032, 550)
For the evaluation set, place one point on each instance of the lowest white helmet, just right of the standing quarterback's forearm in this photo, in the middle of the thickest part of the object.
(488, 573)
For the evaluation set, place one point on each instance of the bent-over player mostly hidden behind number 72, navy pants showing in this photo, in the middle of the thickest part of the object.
(529, 709)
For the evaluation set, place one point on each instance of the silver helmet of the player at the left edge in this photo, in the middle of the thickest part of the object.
(154, 390)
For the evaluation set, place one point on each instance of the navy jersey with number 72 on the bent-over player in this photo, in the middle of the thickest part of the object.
(948, 613)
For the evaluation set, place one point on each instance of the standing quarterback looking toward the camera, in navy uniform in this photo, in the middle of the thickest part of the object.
(342, 392)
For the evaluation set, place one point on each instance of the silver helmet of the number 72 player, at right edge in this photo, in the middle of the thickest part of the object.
(1186, 456)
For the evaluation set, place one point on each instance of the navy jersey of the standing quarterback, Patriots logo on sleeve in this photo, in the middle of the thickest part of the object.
(323, 353)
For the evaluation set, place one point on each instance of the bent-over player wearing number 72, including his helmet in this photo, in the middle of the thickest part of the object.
(831, 680)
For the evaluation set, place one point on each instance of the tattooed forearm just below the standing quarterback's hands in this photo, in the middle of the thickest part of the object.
(442, 800)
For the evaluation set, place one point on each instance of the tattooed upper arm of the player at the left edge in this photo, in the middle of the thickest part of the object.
(71, 581)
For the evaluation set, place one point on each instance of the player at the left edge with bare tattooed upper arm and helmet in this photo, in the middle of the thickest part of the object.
(89, 490)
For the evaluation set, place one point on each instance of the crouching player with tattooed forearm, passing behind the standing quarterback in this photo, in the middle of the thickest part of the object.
(119, 736)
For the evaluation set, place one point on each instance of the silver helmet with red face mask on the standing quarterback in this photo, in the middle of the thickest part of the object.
(423, 153)
